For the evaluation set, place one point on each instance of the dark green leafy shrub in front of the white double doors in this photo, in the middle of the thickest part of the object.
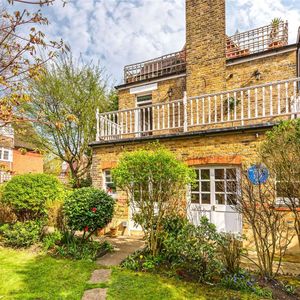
(194, 249)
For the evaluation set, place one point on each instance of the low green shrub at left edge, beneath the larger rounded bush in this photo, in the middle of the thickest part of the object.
(21, 234)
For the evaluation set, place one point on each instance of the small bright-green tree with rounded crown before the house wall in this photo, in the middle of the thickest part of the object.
(155, 182)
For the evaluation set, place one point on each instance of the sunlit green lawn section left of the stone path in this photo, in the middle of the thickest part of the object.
(24, 275)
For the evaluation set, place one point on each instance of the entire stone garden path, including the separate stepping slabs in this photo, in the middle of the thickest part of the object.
(123, 246)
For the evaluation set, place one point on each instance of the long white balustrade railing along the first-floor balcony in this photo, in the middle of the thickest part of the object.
(259, 104)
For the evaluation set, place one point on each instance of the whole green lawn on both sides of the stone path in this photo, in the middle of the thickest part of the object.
(25, 275)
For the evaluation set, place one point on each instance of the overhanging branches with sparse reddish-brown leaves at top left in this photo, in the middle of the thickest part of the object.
(19, 55)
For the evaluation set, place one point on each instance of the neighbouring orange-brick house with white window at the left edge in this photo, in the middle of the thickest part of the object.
(17, 155)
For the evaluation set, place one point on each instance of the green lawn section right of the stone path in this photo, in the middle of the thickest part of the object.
(129, 285)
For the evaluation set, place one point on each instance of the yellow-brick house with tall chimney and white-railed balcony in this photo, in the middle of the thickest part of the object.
(210, 103)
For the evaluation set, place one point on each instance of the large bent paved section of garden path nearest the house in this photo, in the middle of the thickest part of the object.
(123, 246)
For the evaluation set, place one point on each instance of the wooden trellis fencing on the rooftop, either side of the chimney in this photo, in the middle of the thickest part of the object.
(239, 45)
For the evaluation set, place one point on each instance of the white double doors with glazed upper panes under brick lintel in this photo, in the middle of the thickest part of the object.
(214, 196)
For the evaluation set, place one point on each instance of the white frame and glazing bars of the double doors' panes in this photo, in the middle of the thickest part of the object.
(212, 182)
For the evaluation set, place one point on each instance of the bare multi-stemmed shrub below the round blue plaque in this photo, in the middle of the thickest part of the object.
(268, 225)
